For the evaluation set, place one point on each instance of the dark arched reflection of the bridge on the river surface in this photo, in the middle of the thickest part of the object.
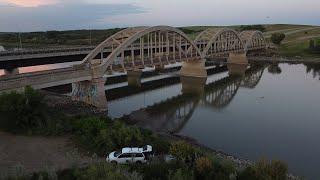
(172, 114)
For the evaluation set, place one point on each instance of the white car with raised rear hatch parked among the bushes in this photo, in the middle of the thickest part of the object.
(130, 155)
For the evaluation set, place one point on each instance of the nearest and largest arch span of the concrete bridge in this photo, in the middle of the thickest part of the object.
(140, 47)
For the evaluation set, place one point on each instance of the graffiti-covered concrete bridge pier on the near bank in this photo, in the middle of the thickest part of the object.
(91, 92)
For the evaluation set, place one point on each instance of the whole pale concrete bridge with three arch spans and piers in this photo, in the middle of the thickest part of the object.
(133, 49)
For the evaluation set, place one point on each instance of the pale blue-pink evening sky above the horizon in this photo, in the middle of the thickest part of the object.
(43, 15)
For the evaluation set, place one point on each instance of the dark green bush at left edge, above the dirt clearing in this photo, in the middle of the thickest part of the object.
(22, 112)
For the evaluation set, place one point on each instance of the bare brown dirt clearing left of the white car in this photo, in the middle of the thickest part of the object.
(37, 153)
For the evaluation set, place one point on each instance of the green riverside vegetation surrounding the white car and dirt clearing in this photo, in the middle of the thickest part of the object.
(27, 113)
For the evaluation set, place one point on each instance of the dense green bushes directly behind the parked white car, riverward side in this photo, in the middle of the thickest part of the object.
(102, 135)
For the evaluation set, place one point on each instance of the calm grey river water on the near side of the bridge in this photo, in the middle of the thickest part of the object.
(272, 111)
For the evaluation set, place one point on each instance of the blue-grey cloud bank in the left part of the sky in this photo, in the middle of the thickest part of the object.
(61, 16)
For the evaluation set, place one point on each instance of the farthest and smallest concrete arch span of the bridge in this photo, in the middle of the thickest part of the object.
(253, 40)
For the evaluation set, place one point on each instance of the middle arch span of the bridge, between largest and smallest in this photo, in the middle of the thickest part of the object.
(215, 41)
